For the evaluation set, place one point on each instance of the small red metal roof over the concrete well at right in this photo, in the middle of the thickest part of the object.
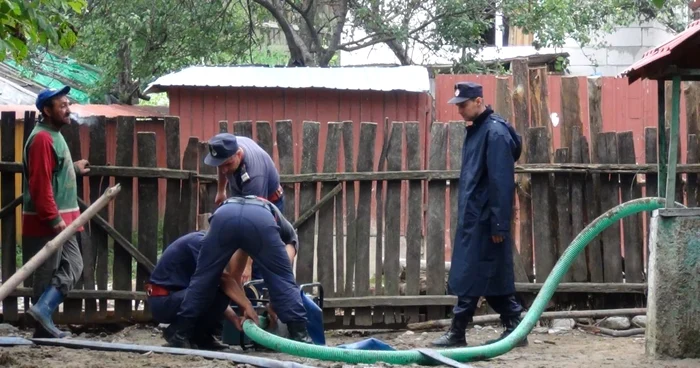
(668, 53)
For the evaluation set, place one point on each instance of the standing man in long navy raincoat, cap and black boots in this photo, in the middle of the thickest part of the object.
(482, 260)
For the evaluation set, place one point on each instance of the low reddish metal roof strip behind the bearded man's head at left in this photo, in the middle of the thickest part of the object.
(108, 111)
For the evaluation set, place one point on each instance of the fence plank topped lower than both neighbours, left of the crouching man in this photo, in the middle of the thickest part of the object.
(147, 205)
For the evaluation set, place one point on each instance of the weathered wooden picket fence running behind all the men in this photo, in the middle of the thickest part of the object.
(376, 272)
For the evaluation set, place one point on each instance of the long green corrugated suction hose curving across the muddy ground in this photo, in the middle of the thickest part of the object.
(465, 354)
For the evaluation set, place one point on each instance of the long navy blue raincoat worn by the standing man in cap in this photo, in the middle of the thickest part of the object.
(479, 266)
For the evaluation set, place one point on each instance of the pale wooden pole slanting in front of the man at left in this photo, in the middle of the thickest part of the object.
(11, 284)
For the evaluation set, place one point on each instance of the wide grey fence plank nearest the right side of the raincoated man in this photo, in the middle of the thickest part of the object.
(545, 251)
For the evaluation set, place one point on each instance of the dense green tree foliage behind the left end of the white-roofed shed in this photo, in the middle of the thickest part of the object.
(135, 41)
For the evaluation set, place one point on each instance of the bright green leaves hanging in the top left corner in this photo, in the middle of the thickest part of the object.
(25, 24)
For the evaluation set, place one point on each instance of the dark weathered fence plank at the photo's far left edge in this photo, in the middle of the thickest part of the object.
(9, 229)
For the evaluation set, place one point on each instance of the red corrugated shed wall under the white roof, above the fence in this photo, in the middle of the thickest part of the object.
(201, 109)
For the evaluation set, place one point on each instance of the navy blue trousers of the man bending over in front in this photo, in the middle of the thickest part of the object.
(253, 228)
